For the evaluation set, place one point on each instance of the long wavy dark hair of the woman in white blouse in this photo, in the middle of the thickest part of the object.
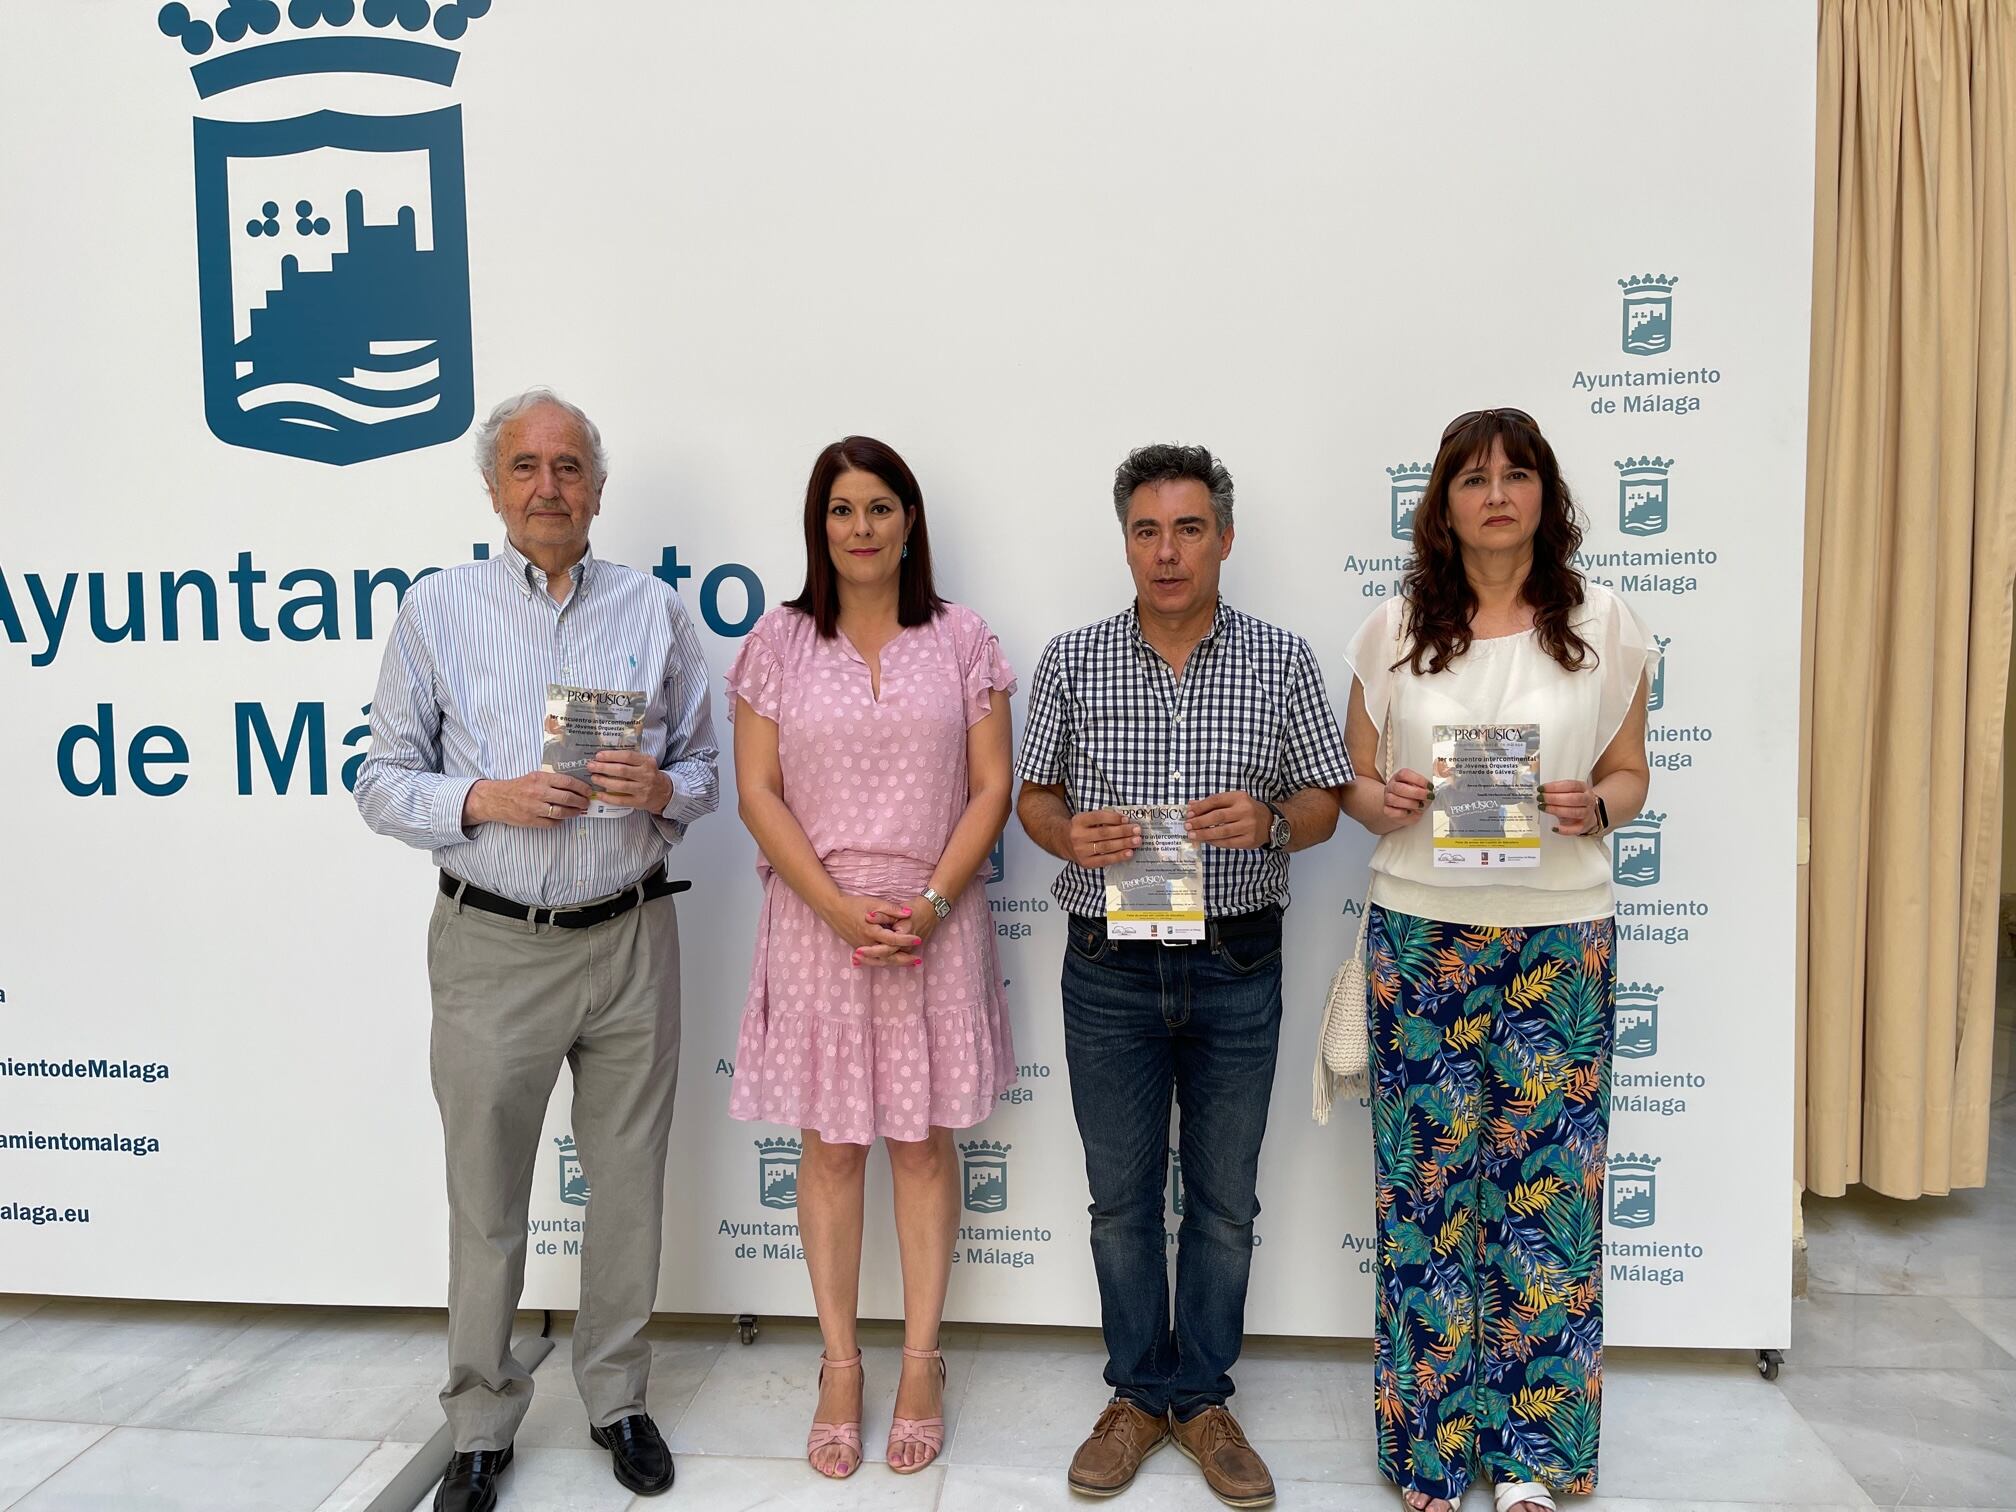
(1440, 600)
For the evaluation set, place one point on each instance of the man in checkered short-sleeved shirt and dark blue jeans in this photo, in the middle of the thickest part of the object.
(1178, 701)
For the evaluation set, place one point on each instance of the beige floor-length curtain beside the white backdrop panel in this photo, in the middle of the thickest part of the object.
(1906, 590)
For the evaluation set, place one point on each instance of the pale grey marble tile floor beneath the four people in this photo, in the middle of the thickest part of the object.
(1900, 1390)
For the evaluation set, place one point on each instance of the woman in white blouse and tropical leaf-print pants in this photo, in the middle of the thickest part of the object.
(1493, 985)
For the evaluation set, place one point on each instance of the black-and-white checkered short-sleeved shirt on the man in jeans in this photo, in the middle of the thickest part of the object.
(1112, 725)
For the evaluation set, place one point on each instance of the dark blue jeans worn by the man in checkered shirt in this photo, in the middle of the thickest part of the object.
(1203, 1021)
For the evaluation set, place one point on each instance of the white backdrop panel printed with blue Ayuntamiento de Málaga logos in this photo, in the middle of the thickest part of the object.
(1013, 241)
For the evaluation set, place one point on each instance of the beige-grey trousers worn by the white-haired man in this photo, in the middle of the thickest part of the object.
(511, 1003)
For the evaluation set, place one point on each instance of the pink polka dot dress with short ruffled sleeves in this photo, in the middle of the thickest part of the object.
(878, 785)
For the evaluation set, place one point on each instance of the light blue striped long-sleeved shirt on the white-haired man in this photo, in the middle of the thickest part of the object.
(463, 697)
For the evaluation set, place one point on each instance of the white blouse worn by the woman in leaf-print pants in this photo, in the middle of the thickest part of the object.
(1505, 680)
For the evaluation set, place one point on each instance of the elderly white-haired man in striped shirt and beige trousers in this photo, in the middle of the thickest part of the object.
(555, 936)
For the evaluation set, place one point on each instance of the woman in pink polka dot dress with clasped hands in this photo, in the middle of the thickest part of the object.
(874, 765)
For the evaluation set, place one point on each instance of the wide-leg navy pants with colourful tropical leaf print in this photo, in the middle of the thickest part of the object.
(1491, 1065)
